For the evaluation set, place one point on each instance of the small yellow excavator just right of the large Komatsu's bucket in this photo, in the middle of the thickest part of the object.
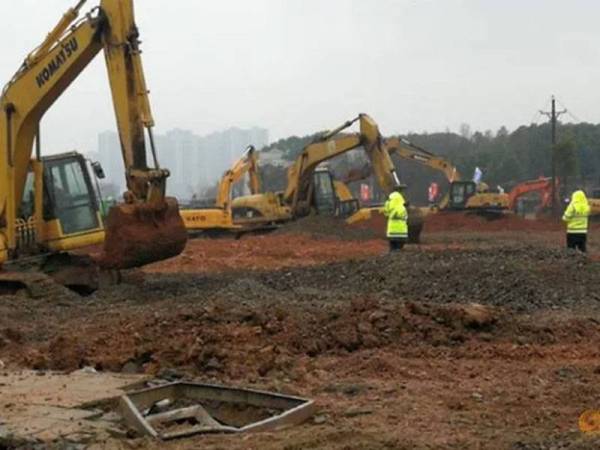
(219, 217)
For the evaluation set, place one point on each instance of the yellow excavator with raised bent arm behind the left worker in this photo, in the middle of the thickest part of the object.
(311, 188)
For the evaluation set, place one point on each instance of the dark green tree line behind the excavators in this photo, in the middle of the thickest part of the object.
(505, 158)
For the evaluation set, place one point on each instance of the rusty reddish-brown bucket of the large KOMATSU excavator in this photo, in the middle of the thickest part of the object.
(141, 234)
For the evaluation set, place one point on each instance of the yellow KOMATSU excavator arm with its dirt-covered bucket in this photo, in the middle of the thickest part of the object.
(148, 227)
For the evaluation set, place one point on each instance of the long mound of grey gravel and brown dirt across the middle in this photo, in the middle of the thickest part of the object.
(214, 322)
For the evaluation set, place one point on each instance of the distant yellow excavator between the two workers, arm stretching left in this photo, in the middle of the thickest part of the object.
(463, 195)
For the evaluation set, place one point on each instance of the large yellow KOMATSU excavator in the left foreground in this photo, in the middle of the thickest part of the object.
(48, 208)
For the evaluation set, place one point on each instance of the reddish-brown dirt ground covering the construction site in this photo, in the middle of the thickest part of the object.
(484, 336)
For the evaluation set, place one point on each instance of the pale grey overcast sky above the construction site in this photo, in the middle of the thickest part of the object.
(299, 66)
